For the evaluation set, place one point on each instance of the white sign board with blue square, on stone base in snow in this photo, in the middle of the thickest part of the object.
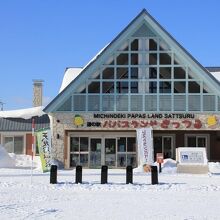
(191, 156)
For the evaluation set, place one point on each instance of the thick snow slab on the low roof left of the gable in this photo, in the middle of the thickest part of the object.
(23, 113)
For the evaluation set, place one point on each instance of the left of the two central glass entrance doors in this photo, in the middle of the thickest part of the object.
(95, 152)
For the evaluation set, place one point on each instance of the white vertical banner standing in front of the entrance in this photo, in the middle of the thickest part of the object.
(145, 146)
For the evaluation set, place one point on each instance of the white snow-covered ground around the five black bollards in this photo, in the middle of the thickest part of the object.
(177, 196)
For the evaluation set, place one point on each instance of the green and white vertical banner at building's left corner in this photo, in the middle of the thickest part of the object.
(44, 147)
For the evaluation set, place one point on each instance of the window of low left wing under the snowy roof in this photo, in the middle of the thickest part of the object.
(14, 144)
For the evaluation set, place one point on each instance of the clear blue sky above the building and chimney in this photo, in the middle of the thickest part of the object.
(40, 38)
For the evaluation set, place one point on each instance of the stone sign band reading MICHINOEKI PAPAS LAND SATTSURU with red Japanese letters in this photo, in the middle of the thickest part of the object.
(133, 121)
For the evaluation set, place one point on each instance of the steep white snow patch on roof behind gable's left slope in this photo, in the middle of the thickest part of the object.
(69, 75)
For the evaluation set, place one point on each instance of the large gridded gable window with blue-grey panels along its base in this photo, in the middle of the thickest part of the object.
(143, 65)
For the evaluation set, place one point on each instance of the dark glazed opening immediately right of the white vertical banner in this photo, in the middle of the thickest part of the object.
(163, 144)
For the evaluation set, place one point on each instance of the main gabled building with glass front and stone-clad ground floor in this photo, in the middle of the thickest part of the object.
(143, 78)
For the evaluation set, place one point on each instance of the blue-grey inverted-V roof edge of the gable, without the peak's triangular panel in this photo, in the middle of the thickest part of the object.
(142, 17)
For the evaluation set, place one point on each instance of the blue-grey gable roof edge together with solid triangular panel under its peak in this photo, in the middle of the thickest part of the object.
(142, 24)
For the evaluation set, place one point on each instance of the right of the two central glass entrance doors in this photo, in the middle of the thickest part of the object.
(110, 152)
